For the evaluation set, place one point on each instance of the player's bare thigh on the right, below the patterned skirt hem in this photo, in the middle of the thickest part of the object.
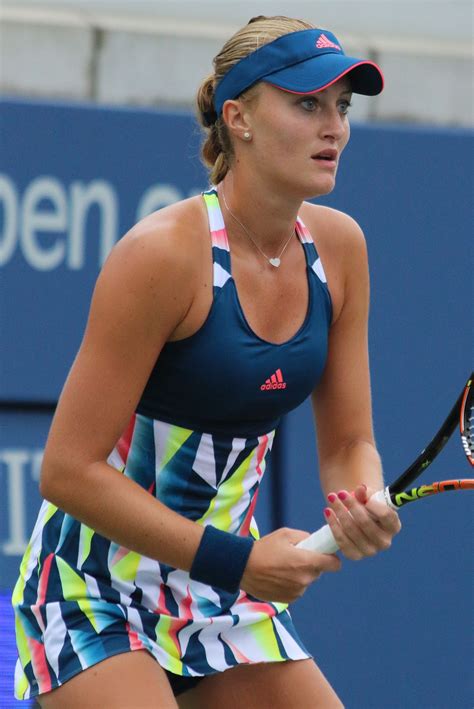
(281, 685)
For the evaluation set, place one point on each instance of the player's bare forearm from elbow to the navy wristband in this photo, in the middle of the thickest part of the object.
(119, 509)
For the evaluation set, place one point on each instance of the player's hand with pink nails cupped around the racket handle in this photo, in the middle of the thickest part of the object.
(361, 527)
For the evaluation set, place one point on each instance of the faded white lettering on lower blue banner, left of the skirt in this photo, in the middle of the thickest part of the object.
(16, 461)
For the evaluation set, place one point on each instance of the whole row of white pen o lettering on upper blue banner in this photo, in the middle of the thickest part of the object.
(55, 235)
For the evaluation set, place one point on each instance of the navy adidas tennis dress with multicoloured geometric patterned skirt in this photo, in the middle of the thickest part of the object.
(198, 442)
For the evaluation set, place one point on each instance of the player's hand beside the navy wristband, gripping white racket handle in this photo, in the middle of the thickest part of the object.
(277, 571)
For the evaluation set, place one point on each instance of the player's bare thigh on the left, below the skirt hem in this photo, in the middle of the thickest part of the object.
(132, 680)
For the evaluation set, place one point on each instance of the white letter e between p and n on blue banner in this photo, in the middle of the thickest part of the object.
(39, 220)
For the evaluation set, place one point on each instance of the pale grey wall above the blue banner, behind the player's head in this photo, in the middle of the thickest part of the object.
(157, 52)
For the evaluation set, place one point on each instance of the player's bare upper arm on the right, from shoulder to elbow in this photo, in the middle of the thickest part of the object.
(341, 401)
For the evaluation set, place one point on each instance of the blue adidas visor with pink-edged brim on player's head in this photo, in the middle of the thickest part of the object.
(301, 62)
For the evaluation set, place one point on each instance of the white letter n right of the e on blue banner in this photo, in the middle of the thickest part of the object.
(82, 198)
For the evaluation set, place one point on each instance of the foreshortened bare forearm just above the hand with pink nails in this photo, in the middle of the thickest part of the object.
(356, 463)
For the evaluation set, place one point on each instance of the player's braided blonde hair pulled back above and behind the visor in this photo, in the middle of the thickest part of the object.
(217, 150)
